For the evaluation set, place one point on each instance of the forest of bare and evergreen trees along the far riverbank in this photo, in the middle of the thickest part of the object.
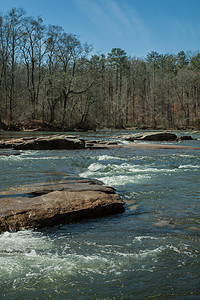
(49, 78)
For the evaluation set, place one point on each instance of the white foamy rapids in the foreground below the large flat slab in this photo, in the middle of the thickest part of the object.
(31, 253)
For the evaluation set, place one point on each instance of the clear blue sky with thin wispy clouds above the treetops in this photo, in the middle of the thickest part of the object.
(136, 26)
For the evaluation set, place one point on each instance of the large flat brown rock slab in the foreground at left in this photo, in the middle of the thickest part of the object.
(50, 204)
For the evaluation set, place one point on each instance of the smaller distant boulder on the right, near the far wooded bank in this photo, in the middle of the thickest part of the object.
(152, 136)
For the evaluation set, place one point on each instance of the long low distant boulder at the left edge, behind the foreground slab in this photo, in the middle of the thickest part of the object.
(53, 142)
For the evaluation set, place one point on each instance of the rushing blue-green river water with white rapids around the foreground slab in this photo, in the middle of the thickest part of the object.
(151, 251)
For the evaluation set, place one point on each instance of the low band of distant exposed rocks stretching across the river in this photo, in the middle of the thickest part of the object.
(58, 142)
